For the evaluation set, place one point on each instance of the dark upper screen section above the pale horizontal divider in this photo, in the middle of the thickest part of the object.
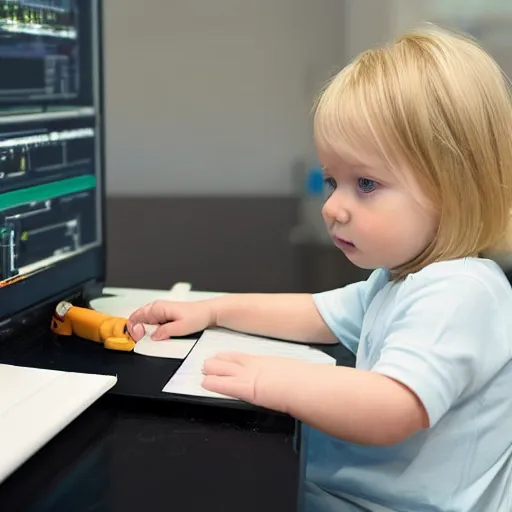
(45, 54)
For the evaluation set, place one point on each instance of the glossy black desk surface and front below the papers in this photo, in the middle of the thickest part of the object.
(132, 453)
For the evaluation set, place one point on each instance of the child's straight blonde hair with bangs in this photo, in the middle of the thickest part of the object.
(437, 105)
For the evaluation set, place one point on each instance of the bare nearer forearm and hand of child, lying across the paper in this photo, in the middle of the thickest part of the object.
(353, 405)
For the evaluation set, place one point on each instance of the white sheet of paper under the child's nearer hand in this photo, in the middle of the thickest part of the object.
(187, 380)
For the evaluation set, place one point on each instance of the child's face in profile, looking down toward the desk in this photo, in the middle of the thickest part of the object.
(375, 217)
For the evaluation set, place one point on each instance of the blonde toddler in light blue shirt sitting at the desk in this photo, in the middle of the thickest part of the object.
(415, 139)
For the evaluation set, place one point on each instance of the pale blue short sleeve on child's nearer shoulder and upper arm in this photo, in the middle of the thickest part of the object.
(446, 339)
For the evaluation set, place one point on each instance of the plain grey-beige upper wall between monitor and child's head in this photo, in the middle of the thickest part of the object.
(214, 96)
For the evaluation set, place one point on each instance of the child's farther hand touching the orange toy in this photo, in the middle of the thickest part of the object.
(173, 318)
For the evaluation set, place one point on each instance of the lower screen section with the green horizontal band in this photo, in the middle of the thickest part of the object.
(48, 200)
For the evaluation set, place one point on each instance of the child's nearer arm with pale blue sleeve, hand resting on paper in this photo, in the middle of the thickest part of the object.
(432, 357)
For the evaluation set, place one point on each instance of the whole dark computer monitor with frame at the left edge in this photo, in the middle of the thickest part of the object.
(51, 157)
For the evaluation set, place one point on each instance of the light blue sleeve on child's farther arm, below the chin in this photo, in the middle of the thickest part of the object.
(343, 309)
